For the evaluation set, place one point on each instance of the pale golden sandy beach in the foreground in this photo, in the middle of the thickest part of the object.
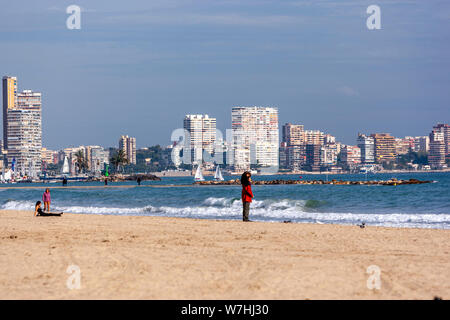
(132, 257)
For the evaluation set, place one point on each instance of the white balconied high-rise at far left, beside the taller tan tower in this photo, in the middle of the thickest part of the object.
(24, 133)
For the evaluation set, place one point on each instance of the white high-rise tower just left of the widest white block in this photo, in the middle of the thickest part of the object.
(202, 131)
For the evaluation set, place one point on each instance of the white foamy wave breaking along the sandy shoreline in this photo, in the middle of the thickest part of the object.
(261, 210)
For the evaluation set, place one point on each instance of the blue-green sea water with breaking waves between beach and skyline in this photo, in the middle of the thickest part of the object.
(420, 206)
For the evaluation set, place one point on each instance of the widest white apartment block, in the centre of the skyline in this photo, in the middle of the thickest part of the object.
(255, 137)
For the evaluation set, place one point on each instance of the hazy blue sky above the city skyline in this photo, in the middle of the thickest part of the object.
(137, 67)
